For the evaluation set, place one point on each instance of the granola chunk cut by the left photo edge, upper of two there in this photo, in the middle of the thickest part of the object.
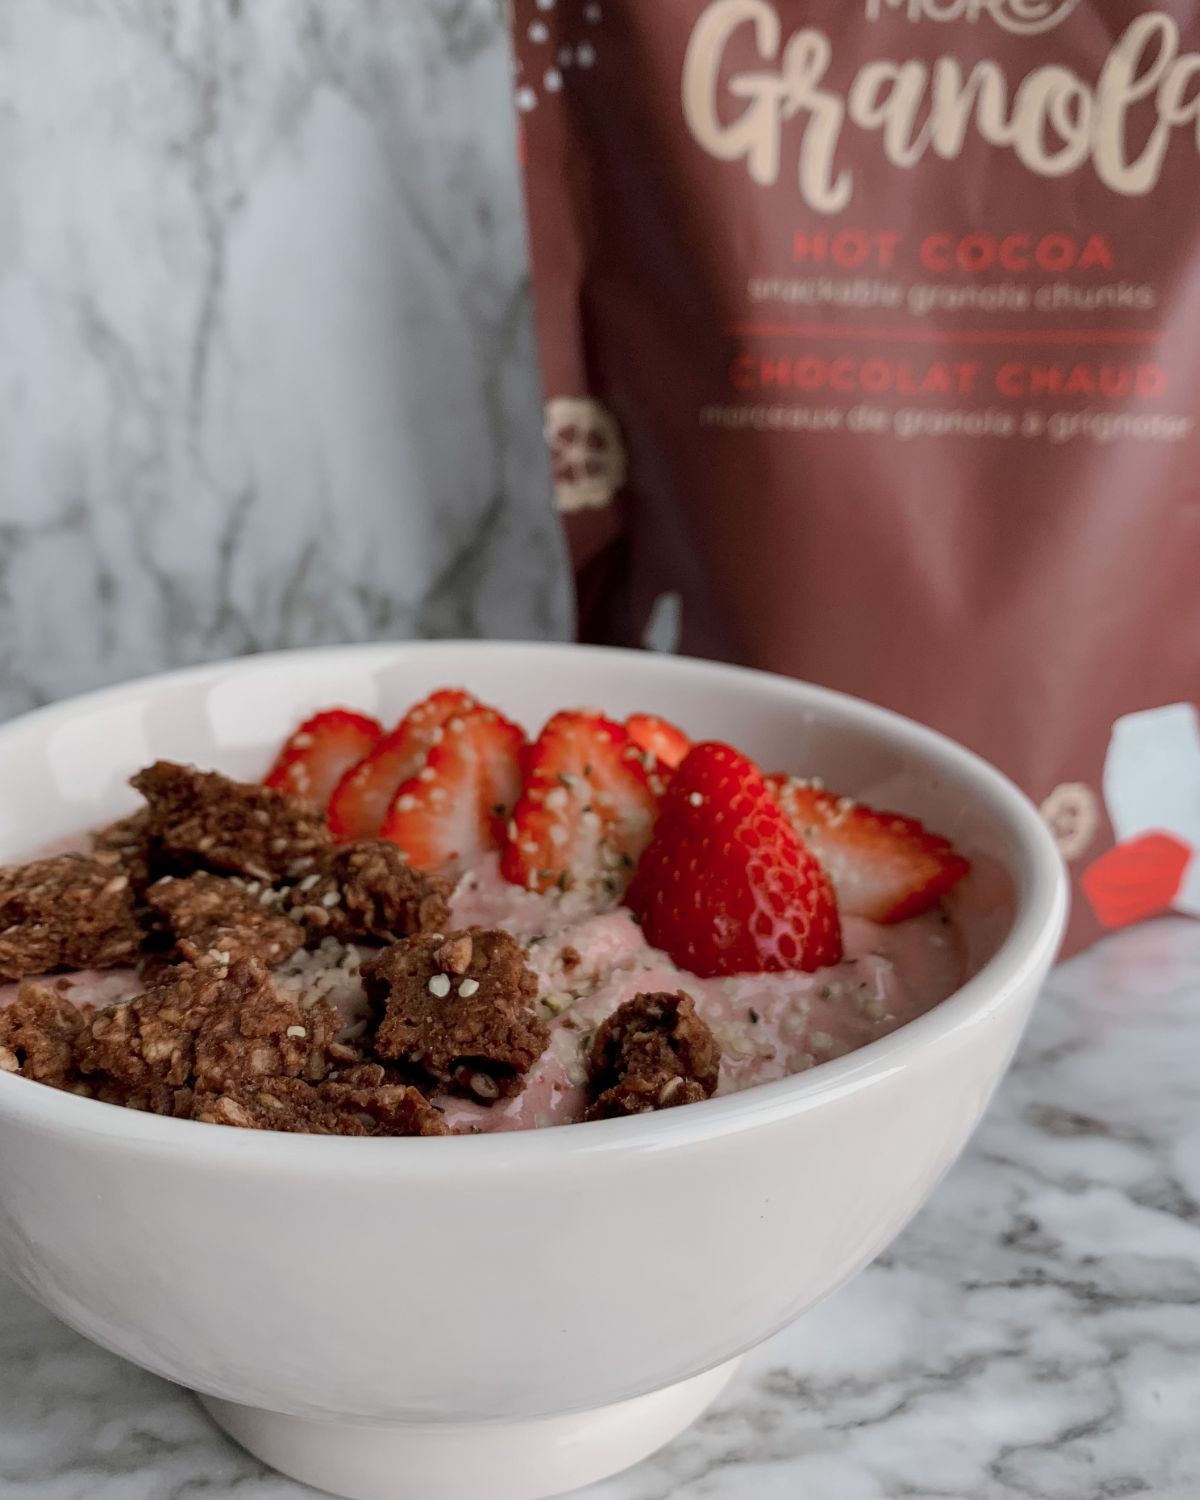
(67, 913)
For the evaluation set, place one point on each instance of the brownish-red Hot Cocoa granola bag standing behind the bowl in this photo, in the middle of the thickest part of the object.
(869, 338)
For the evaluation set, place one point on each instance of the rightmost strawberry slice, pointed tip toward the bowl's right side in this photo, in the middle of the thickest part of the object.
(883, 866)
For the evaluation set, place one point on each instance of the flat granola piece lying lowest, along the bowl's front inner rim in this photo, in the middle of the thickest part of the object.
(323, 1109)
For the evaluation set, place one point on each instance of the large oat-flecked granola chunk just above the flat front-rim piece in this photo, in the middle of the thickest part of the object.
(206, 1027)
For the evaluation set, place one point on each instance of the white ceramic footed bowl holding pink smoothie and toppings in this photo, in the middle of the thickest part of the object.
(508, 1315)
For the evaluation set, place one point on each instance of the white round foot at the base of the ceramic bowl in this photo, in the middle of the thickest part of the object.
(461, 1462)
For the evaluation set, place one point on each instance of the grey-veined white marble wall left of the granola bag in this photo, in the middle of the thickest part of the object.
(266, 352)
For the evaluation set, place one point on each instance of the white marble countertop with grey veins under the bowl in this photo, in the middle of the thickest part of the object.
(1034, 1336)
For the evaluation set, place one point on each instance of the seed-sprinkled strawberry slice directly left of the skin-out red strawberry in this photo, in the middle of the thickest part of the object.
(586, 811)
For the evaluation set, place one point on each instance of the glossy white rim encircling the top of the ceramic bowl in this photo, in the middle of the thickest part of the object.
(1021, 961)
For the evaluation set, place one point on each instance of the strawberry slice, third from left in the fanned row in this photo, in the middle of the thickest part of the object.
(452, 811)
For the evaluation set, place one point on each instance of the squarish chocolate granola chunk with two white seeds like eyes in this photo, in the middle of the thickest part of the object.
(460, 1009)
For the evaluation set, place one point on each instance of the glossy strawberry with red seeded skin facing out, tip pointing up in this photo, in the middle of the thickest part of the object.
(725, 886)
